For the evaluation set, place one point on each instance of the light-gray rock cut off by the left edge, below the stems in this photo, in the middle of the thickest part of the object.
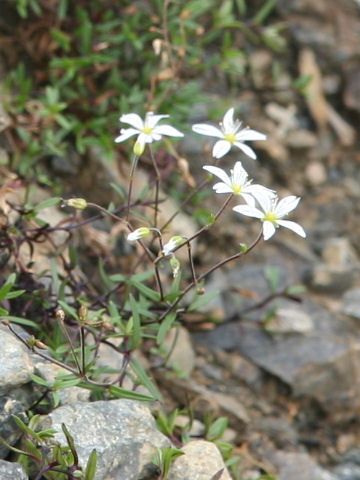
(15, 366)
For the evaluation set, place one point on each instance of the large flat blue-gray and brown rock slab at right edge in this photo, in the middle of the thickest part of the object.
(316, 364)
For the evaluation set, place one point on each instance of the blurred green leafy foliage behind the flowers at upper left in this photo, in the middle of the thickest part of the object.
(103, 60)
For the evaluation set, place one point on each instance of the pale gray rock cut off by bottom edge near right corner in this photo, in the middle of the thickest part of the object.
(298, 466)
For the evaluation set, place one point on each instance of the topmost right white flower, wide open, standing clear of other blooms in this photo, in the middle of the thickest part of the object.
(230, 133)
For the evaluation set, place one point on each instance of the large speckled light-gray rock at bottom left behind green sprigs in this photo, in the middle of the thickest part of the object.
(123, 432)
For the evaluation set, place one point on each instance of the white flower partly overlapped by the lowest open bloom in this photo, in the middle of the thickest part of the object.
(237, 183)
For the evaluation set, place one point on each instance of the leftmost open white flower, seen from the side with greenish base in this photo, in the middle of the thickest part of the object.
(147, 130)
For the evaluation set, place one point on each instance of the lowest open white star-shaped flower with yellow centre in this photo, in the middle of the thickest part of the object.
(272, 212)
